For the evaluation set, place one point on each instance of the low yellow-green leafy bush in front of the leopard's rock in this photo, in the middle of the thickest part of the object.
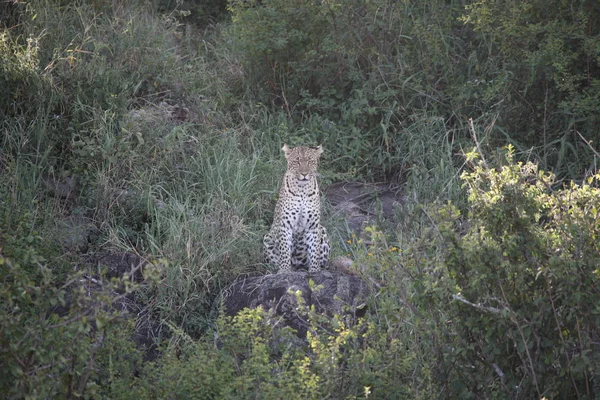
(250, 356)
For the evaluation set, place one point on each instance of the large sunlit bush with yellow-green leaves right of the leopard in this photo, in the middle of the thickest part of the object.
(516, 294)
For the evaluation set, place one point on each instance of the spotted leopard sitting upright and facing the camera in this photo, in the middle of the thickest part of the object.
(297, 240)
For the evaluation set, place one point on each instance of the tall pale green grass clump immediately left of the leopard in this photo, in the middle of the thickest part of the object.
(207, 223)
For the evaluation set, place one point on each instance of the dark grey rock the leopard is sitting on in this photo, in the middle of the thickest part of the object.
(334, 293)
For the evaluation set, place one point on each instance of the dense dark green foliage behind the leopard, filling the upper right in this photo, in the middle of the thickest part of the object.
(372, 71)
